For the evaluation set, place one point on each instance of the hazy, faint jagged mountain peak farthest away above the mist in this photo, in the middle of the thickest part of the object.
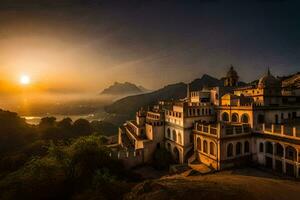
(123, 89)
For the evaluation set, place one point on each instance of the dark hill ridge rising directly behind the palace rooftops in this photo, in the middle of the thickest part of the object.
(129, 105)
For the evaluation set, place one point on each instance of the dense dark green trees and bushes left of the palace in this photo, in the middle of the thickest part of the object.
(57, 160)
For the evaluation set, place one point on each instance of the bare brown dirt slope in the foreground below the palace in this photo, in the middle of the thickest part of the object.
(239, 184)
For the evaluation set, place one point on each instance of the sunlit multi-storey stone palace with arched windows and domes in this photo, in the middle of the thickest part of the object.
(222, 127)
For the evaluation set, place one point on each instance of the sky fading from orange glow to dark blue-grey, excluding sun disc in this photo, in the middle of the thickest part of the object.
(83, 46)
